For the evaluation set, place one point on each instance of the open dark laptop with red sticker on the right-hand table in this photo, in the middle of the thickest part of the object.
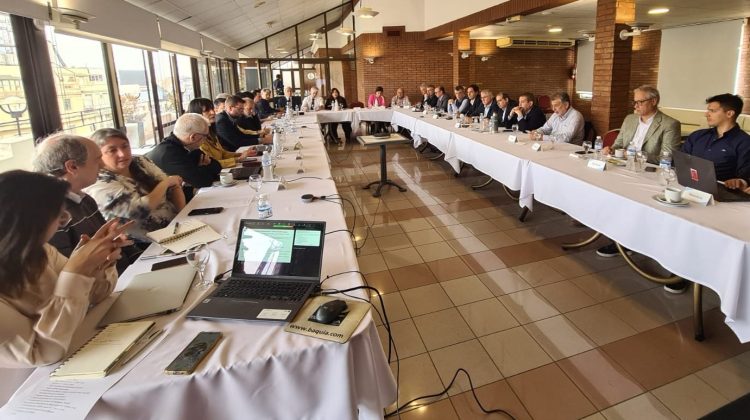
(700, 174)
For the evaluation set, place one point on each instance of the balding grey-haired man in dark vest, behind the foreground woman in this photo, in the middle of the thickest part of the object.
(77, 160)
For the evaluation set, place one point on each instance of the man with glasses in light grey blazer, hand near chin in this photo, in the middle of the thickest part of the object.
(648, 128)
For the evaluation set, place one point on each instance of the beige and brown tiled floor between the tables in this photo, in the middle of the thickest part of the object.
(544, 333)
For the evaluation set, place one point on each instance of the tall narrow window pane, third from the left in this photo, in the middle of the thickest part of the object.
(135, 94)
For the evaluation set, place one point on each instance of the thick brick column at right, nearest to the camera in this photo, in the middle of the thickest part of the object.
(612, 59)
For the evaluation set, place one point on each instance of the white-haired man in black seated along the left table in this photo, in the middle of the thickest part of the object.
(180, 154)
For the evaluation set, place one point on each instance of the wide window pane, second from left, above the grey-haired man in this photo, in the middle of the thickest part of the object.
(81, 83)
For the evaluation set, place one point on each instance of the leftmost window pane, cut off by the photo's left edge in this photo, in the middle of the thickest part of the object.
(16, 140)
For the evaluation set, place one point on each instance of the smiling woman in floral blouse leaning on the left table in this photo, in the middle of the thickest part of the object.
(133, 187)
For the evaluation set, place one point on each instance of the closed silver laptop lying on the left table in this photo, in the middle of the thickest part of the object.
(152, 293)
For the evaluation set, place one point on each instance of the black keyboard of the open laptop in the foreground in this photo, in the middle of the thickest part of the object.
(263, 290)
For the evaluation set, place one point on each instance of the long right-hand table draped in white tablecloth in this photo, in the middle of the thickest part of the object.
(709, 245)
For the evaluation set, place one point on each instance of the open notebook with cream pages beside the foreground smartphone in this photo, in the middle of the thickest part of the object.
(100, 355)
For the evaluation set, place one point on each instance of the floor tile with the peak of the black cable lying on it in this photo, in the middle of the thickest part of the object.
(472, 357)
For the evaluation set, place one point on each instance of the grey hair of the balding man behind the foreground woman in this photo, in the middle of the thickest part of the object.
(55, 150)
